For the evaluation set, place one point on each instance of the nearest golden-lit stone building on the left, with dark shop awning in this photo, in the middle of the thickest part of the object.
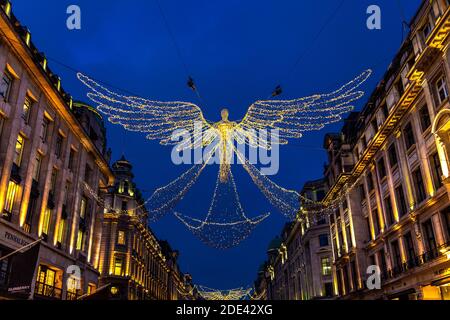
(50, 149)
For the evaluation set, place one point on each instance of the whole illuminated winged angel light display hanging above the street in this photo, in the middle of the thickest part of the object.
(226, 224)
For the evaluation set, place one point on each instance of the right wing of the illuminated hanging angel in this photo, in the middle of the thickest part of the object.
(293, 117)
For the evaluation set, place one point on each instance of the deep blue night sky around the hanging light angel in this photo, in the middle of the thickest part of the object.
(237, 52)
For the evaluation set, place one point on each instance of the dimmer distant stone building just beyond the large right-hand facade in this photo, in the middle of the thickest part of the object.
(299, 261)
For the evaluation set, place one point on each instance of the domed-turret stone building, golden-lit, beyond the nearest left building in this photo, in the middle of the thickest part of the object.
(133, 262)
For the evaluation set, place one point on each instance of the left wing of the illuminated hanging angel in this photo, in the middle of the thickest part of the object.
(162, 121)
